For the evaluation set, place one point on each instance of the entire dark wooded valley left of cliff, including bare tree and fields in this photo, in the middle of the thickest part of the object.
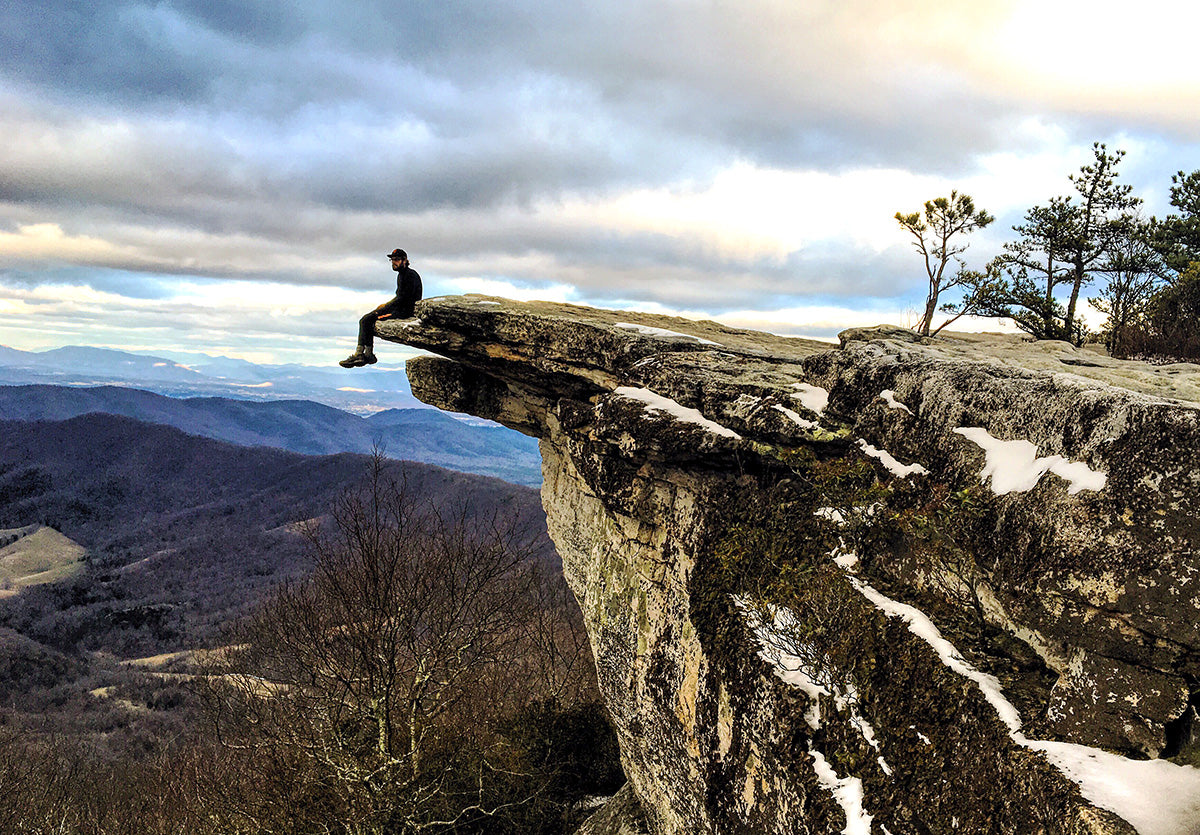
(201, 638)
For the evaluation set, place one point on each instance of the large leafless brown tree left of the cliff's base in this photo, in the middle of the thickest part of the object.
(373, 692)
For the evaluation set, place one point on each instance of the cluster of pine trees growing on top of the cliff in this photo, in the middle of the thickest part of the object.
(1066, 245)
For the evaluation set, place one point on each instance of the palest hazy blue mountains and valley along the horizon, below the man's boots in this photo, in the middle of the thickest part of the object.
(183, 375)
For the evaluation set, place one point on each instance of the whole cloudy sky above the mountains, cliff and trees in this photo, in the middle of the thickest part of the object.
(226, 176)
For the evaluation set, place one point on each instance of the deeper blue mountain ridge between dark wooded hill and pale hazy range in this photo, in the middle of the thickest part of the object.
(424, 436)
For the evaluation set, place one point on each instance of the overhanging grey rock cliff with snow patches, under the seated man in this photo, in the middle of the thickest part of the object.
(889, 587)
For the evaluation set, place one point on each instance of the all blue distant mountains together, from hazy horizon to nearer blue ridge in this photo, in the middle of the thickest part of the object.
(293, 407)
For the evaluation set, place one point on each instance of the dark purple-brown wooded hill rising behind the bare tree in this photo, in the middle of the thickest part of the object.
(182, 532)
